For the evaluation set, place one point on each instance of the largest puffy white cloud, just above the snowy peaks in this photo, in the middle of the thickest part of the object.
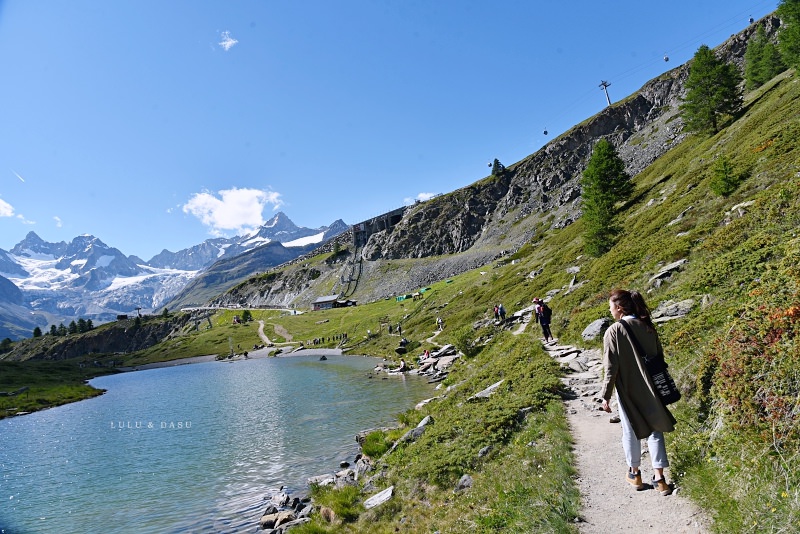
(238, 210)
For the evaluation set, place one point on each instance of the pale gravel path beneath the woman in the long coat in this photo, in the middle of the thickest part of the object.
(610, 505)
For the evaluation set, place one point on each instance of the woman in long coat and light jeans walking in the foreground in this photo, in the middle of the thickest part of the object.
(641, 411)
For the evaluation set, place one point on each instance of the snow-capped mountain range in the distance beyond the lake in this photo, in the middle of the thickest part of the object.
(43, 282)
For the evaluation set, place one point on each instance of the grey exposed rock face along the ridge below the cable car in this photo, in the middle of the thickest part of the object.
(642, 128)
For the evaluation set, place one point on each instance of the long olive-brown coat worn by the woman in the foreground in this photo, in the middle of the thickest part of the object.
(624, 371)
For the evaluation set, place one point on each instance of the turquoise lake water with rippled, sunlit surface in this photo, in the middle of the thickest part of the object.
(191, 448)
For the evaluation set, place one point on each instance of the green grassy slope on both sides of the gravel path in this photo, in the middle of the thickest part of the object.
(736, 459)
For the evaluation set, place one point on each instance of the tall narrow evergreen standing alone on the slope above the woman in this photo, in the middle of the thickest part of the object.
(604, 183)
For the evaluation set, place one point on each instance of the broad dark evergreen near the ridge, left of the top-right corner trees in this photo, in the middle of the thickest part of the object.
(712, 90)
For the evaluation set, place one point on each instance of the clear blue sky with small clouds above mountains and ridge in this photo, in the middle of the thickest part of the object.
(159, 124)
